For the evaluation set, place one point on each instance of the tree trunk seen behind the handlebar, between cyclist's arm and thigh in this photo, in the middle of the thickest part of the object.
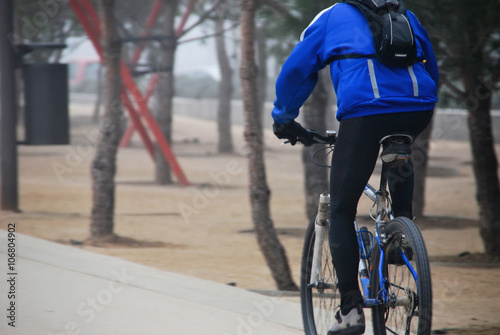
(314, 116)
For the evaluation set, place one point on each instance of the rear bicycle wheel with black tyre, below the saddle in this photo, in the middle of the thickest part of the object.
(408, 299)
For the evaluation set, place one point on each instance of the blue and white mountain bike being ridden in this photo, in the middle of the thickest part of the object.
(394, 269)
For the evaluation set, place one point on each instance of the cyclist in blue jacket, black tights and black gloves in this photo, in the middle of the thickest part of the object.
(373, 101)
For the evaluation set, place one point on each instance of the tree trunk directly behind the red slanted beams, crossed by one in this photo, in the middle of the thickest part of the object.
(165, 91)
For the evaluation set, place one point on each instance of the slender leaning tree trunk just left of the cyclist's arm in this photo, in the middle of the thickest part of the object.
(268, 241)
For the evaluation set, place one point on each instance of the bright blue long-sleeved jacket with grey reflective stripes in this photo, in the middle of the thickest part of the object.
(364, 86)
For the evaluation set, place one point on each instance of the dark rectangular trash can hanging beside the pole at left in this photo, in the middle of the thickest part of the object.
(46, 104)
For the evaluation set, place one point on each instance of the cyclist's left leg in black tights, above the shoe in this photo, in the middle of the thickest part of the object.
(353, 160)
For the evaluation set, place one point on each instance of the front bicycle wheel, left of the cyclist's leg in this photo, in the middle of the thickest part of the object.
(318, 304)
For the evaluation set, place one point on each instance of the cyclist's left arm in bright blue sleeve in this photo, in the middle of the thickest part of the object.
(299, 73)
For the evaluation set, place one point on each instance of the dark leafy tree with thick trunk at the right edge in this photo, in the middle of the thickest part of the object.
(469, 58)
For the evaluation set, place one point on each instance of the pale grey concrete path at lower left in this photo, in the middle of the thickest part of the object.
(58, 289)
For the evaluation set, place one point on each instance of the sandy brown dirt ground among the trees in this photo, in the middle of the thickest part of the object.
(200, 230)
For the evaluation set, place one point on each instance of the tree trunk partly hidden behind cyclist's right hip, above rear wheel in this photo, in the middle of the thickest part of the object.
(420, 158)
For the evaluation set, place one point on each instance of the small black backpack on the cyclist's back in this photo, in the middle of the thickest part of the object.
(393, 35)
